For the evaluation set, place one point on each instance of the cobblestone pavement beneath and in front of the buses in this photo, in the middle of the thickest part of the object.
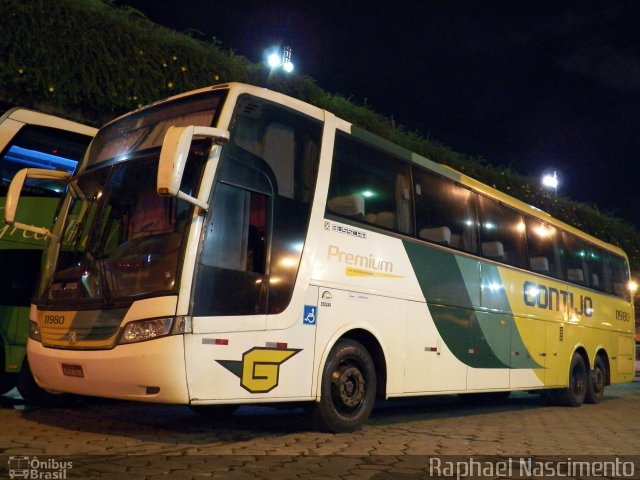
(123, 440)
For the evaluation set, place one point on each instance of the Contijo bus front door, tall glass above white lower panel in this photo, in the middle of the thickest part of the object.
(230, 287)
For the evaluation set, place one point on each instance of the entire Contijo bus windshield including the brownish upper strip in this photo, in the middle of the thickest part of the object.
(121, 240)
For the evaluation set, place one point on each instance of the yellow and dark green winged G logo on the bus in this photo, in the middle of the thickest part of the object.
(259, 369)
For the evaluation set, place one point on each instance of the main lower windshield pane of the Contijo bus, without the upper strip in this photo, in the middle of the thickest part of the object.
(122, 240)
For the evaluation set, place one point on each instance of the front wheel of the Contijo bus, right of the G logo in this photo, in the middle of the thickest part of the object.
(348, 388)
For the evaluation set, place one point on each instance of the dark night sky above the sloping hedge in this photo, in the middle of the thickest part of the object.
(533, 85)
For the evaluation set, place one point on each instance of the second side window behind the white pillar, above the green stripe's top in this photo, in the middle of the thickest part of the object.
(445, 212)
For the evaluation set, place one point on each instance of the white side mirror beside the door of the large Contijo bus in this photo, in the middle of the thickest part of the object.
(173, 157)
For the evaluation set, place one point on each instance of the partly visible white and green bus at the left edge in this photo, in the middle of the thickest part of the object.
(36, 140)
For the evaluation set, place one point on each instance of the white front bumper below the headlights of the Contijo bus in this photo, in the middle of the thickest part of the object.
(151, 371)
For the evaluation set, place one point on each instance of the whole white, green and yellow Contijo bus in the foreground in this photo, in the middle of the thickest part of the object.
(233, 245)
